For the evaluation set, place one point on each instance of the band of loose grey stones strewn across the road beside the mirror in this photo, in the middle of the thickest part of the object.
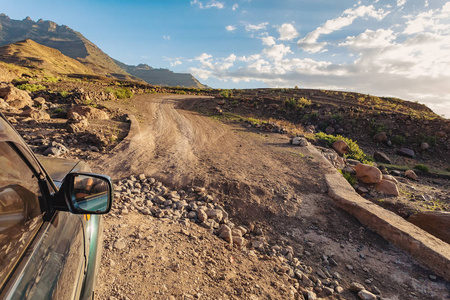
(194, 205)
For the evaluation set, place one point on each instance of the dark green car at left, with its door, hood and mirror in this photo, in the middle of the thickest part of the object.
(50, 222)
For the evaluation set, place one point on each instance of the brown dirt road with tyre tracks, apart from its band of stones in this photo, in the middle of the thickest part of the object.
(264, 183)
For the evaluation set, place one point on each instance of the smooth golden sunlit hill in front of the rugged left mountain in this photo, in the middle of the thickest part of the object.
(32, 55)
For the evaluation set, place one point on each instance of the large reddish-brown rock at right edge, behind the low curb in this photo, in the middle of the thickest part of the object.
(435, 222)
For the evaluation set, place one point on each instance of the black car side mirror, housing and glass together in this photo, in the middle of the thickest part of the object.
(86, 193)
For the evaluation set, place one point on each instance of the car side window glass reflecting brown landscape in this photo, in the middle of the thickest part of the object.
(20, 212)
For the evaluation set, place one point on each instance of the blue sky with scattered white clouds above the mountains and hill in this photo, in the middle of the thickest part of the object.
(396, 48)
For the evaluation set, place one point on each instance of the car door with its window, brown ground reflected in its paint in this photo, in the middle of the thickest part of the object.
(41, 252)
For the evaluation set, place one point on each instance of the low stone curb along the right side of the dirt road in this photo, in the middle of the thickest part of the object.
(422, 246)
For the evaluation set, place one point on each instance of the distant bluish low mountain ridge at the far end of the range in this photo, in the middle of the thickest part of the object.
(162, 77)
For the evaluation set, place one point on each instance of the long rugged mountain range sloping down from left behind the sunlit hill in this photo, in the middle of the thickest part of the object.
(74, 45)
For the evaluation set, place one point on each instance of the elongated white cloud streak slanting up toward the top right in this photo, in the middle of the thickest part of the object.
(310, 44)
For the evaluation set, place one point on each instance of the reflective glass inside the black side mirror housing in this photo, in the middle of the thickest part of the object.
(91, 194)
